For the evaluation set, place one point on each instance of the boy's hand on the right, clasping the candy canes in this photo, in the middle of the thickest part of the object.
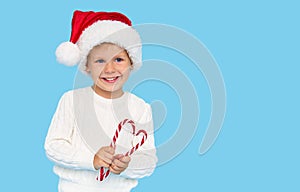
(119, 164)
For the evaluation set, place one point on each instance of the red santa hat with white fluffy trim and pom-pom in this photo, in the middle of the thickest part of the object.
(93, 28)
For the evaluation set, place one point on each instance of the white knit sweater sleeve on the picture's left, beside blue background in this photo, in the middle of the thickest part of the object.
(61, 144)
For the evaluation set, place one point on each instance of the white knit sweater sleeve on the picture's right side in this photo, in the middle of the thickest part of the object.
(143, 161)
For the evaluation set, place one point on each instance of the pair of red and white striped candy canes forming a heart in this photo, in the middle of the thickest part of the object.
(102, 173)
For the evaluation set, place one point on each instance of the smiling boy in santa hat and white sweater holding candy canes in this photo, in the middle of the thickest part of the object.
(107, 48)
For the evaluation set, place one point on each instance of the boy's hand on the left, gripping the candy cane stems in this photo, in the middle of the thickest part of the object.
(104, 157)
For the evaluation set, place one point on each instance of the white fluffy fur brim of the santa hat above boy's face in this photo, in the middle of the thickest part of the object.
(110, 32)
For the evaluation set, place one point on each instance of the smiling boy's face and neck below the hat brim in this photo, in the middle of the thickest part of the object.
(109, 66)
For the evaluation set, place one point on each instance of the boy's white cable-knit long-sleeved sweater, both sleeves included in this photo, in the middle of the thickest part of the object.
(84, 122)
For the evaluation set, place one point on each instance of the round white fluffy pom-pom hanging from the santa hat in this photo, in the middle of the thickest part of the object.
(68, 54)
